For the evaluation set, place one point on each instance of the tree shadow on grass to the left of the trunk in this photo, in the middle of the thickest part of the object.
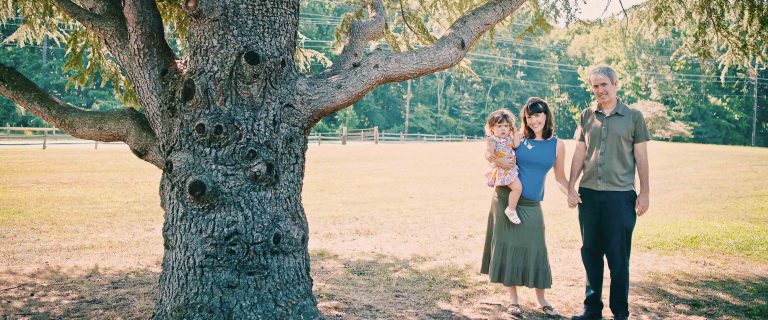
(55, 293)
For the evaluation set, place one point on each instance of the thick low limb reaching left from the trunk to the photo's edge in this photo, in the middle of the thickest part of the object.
(126, 125)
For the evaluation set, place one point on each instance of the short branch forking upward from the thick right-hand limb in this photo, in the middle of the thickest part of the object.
(361, 32)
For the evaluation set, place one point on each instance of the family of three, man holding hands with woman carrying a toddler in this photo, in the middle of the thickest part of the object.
(611, 145)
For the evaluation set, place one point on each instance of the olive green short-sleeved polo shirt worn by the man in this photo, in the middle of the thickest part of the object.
(609, 164)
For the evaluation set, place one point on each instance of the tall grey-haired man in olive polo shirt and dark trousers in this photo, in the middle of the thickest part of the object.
(612, 140)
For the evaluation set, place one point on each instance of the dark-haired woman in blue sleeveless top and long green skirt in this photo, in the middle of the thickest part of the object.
(516, 254)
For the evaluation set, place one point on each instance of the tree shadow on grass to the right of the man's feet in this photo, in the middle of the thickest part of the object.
(707, 296)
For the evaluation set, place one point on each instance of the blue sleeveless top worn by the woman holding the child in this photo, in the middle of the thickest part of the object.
(534, 159)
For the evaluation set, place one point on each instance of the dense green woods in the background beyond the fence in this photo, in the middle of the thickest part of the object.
(689, 99)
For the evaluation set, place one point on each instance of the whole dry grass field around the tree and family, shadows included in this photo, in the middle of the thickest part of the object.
(396, 232)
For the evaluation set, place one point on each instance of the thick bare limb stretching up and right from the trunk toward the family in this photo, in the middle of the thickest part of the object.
(323, 96)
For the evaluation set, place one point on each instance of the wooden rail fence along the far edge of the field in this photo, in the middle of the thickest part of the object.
(366, 135)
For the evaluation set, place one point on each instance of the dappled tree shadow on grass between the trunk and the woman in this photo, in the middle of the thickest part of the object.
(385, 287)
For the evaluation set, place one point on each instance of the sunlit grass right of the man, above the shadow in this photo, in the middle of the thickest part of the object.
(708, 200)
